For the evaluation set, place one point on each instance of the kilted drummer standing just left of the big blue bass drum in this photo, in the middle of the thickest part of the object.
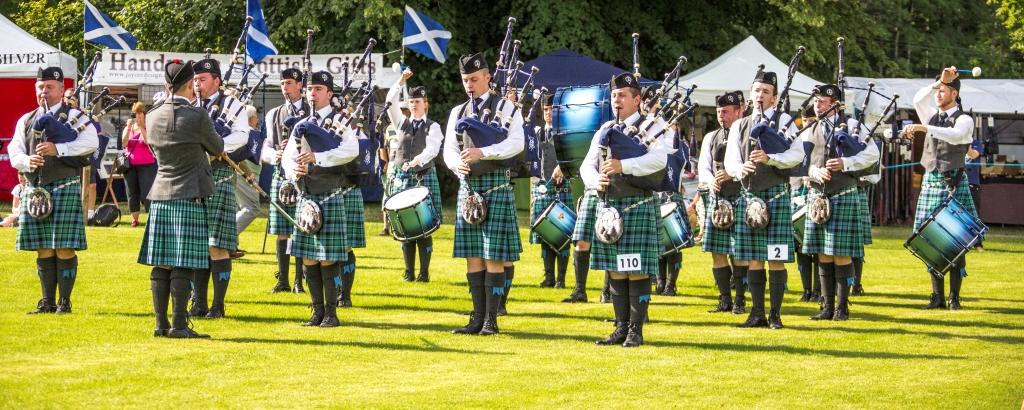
(552, 186)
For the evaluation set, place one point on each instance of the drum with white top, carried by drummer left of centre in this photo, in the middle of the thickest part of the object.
(412, 215)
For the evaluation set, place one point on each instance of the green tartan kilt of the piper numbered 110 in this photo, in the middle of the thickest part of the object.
(639, 236)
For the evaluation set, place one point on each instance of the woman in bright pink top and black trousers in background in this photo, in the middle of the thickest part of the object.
(143, 172)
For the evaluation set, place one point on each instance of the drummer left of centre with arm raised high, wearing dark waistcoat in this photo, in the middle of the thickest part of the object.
(412, 152)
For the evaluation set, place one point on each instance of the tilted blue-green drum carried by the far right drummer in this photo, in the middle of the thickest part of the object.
(947, 236)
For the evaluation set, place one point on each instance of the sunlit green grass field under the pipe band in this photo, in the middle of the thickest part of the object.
(395, 349)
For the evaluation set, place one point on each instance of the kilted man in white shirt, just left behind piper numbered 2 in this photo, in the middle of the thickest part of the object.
(715, 183)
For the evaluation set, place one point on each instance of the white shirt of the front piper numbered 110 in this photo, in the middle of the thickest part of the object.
(654, 161)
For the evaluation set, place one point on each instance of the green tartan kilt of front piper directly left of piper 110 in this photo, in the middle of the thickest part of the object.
(498, 237)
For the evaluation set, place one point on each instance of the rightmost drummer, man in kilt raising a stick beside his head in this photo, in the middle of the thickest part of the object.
(948, 140)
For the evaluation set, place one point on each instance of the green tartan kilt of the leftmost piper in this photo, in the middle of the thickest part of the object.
(65, 228)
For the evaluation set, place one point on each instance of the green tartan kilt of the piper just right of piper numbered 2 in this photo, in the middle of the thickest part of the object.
(841, 236)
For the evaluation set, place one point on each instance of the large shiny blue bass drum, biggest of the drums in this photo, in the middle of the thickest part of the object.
(578, 113)
